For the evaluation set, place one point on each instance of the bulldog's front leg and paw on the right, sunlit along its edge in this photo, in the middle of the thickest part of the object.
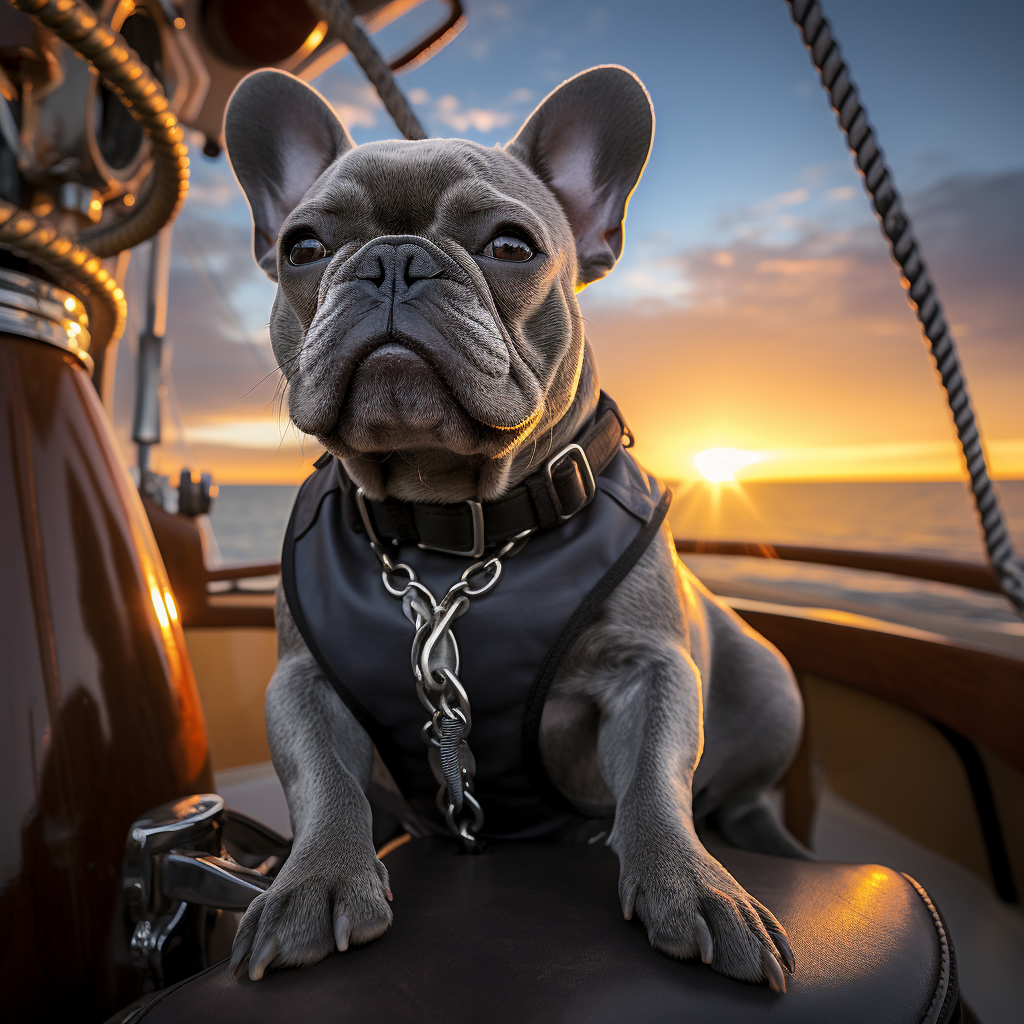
(650, 742)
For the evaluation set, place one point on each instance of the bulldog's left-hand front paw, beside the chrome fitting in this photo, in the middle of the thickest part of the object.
(314, 908)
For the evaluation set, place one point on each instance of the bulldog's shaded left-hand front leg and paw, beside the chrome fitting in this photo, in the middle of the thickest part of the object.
(333, 891)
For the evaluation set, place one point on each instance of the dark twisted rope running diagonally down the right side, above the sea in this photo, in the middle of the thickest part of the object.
(922, 293)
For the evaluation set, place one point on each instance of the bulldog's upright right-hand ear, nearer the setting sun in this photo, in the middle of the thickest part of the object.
(589, 143)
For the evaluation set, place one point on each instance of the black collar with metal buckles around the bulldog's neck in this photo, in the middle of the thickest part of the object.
(564, 486)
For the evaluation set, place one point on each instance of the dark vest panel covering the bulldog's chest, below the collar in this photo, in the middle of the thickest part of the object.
(508, 639)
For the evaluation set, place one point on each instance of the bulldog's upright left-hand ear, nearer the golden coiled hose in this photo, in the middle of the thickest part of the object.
(281, 137)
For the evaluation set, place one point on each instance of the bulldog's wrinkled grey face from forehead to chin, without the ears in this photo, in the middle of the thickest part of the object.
(434, 284)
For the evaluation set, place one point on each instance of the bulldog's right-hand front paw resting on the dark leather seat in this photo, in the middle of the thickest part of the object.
(693, 907)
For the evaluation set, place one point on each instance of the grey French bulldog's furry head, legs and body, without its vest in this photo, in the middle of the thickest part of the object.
(698, 716)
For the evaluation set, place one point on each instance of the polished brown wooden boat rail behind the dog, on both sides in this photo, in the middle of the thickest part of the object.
(971, 690)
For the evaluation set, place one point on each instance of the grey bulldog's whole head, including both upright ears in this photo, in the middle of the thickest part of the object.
(426, 298)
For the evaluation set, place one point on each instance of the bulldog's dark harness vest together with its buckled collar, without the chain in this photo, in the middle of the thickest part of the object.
(594, 513)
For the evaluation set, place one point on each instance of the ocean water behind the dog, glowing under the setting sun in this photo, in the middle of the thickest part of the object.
(922, 519)
